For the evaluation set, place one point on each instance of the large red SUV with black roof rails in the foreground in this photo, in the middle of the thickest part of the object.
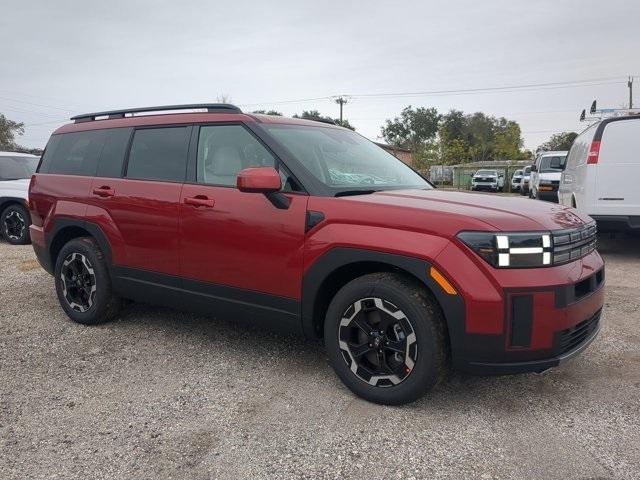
(311, 228)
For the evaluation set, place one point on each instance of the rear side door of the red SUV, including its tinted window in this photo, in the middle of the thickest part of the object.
(138, 205)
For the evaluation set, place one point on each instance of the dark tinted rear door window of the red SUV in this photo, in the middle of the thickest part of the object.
(159, 154)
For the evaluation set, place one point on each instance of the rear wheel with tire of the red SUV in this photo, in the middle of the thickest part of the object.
(83, 283)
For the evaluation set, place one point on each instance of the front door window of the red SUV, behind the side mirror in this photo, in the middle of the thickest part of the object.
(224, 150)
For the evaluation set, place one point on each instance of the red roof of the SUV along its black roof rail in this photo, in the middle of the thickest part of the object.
(186, 118)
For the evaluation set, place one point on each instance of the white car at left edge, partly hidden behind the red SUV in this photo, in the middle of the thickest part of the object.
(15, 171)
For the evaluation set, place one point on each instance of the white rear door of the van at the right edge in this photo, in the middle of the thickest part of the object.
(618, 169)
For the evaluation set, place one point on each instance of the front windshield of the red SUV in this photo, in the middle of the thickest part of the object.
(344, 160)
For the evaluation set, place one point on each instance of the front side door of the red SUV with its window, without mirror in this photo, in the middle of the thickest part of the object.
(239, 253)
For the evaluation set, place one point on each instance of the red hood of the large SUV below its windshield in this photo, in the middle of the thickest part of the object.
(459, 211)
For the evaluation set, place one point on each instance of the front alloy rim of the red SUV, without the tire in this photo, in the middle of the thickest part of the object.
(378, 342)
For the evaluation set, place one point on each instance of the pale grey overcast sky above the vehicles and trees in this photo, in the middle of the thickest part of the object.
(67, 57)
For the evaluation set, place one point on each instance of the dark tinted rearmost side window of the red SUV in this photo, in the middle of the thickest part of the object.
(74, 153)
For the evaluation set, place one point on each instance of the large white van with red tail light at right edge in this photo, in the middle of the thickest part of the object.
(602, 171)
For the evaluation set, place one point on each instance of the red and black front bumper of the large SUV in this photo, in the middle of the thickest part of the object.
(522, 320)
